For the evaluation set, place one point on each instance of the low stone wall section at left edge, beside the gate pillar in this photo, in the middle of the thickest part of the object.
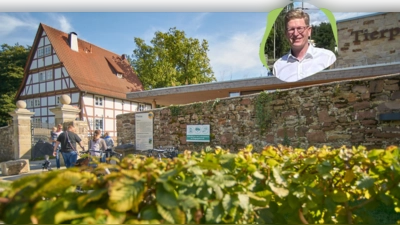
(7, 143)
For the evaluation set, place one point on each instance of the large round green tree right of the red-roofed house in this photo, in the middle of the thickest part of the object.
(173, 60)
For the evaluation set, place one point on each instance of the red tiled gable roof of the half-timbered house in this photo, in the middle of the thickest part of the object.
(89, 68)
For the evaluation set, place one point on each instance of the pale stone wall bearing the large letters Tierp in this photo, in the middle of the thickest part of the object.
(369, 40)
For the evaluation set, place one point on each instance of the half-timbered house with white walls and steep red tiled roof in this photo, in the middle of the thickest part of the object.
(96, 80)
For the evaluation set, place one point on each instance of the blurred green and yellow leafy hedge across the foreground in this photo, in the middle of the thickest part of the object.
(276, 185)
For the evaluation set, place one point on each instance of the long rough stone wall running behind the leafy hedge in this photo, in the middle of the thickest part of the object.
(334, 114)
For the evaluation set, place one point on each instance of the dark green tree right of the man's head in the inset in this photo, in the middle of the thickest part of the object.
(323, 36)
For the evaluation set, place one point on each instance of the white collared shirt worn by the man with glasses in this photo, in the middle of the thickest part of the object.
(290, 69)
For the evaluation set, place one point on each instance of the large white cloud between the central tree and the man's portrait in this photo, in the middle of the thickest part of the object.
(236, 56)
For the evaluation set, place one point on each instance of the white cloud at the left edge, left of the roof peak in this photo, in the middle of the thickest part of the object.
(10, 23)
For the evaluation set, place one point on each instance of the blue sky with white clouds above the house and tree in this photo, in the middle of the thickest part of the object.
(234, 37)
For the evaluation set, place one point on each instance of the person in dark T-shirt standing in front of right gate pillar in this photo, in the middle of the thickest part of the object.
(68, 141)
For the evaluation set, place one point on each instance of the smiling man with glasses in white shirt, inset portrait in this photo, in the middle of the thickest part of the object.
(303, 59)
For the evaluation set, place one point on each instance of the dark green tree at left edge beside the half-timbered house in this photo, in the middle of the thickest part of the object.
(12, 63)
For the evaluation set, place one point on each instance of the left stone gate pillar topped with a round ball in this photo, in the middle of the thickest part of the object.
(22, 141)
